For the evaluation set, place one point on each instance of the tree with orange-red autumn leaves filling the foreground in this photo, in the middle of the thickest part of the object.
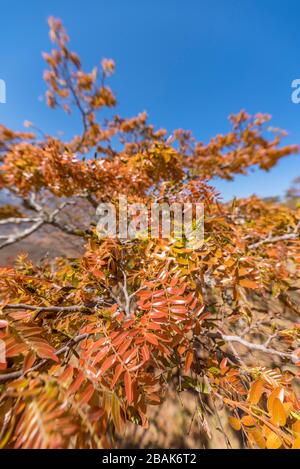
(92, 342)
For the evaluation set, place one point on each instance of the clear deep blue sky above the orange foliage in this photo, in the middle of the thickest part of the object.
(188, 63)
